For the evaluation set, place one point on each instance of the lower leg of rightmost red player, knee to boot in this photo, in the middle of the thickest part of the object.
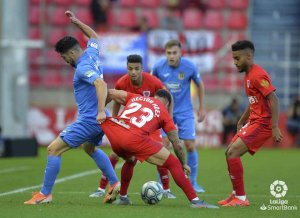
(236, 172)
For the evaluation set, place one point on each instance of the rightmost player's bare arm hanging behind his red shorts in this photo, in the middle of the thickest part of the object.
(274, 104)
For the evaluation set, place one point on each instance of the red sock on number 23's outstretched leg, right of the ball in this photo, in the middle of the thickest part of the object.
(175, 168)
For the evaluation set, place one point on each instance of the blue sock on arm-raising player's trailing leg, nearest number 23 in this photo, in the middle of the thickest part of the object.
(104, 165)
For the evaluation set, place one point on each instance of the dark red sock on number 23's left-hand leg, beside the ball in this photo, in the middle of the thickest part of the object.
(126, 175)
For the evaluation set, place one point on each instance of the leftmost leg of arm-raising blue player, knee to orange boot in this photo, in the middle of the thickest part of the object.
(55, 149)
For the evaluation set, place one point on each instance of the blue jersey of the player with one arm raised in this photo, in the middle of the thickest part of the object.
(87, 71)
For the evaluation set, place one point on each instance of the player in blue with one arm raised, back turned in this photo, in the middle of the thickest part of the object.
(90, 94)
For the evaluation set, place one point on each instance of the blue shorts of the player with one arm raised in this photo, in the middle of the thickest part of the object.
(80, 132)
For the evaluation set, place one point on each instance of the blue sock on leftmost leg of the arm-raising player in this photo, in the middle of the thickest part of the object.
(51, 171)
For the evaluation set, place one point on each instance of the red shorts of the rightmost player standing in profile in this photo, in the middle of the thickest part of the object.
(254, 135)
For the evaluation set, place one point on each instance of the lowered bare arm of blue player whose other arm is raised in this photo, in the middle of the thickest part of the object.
(101, 91)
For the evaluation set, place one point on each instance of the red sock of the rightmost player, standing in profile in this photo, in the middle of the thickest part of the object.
(236, 173)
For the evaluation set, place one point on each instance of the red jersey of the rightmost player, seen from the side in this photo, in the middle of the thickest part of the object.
(258, 86)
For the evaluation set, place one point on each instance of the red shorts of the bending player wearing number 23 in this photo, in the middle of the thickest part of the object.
(126, 143)
